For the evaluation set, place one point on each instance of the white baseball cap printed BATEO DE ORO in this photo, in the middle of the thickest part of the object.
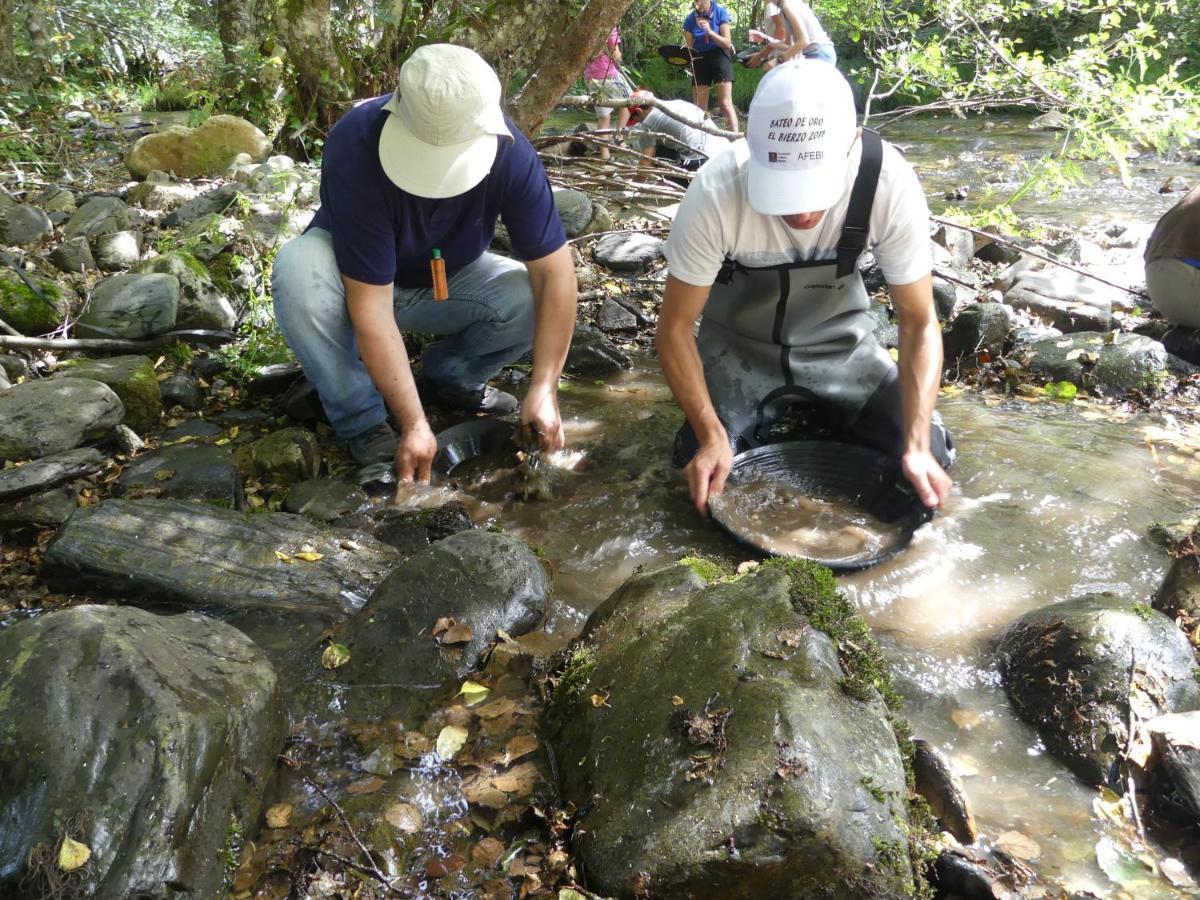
(801, 128)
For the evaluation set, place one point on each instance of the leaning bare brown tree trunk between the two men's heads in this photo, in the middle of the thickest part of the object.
(561, 59)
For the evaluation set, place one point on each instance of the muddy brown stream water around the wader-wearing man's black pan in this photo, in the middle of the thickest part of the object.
(1051, 501)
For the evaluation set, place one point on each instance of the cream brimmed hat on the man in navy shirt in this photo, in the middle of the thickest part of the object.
(440, 140)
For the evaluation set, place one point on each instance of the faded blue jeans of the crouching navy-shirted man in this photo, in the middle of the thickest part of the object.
(488, 322)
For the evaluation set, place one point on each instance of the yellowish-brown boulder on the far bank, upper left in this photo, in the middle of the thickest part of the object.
(196, 153)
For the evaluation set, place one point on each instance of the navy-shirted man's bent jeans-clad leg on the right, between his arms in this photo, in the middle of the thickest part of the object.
(488, 322)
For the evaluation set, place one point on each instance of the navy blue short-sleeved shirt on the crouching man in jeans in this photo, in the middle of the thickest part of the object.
(383, 236)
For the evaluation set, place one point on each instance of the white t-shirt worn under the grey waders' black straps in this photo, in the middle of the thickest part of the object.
(716, 220)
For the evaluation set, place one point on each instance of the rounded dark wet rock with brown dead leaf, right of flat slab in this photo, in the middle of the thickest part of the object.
(483, 580)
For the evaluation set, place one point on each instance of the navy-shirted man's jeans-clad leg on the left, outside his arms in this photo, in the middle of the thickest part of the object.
(310, 308)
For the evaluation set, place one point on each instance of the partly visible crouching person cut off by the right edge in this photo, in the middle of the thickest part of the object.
(1173, 275)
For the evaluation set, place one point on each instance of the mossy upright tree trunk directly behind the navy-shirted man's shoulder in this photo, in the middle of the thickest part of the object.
(322, 89)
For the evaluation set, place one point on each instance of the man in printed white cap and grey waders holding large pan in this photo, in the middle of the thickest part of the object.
(765, 245)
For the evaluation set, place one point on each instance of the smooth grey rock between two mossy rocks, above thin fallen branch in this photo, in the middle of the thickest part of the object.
(131, 307)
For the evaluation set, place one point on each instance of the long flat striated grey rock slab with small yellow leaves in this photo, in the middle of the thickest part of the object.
(218, 560)
